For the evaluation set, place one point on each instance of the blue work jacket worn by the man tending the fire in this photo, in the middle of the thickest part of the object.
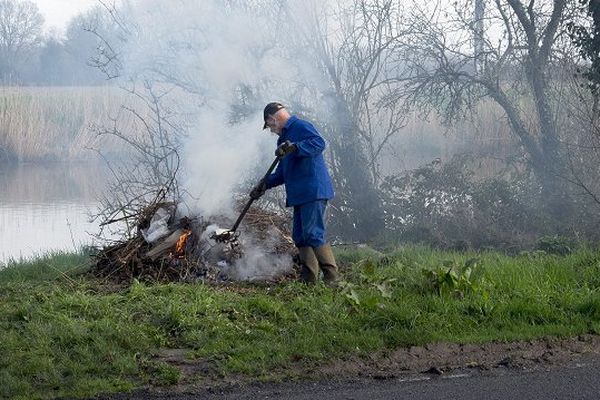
(304, 171)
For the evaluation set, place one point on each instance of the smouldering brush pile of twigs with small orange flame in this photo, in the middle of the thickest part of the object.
(169, 247)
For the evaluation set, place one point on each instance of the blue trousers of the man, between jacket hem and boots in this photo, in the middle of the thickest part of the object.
(309, 224)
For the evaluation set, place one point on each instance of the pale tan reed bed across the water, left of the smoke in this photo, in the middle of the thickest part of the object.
(53, 123)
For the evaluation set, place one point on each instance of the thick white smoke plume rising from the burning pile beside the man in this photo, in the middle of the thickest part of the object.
(210, 49)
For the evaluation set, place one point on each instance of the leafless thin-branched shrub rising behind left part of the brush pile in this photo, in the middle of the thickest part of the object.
(149, 129)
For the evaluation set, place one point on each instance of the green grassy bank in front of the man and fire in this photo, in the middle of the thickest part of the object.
(66, 335)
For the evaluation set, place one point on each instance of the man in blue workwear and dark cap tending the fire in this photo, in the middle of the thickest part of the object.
(308, 188)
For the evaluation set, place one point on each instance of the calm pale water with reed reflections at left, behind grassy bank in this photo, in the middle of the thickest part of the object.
(45, 207)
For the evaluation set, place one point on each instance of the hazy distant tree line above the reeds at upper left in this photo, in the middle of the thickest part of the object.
(28, 56)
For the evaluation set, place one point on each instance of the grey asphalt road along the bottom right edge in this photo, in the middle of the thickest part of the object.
(577, 381)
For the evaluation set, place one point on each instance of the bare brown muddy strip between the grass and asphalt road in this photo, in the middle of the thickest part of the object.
(201, 379)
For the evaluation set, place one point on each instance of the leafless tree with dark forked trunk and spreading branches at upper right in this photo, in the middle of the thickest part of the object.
(516, 54)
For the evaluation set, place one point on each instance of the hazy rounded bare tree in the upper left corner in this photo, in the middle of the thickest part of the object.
(20, 31)
